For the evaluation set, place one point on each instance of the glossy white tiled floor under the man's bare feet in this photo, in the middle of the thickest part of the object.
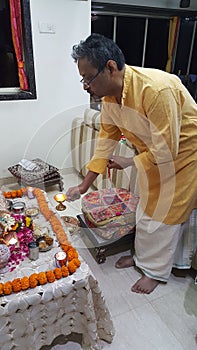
(163, 320)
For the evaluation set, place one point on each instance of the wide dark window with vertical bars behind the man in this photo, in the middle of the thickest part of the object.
(142, 34)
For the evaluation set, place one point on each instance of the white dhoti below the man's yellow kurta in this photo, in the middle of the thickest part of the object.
(159, 247)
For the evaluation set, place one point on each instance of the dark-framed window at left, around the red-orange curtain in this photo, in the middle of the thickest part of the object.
(9, 81)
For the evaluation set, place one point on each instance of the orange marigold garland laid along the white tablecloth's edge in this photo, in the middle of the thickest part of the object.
(49, 276)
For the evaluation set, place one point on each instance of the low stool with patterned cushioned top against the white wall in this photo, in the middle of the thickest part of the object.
(43, 176)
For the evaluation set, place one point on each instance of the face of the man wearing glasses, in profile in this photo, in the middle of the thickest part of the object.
(95, 82)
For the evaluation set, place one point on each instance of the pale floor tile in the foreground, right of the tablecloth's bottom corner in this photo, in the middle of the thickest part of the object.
(140, 329)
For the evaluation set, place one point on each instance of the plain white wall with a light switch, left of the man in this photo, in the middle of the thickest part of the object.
(41, 128)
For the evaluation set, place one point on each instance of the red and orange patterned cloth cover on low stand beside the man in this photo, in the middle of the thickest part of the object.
(111, 212)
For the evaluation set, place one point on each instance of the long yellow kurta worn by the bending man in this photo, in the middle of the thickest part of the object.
(159, 117)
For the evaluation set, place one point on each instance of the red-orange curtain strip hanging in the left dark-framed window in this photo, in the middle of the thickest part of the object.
(16, 25)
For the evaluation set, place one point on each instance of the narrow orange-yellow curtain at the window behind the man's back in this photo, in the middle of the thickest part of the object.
(173, 30)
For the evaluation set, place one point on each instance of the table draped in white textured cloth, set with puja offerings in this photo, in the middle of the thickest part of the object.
(36, 316)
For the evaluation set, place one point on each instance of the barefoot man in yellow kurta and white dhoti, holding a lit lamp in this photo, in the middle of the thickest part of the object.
(156, 113)
